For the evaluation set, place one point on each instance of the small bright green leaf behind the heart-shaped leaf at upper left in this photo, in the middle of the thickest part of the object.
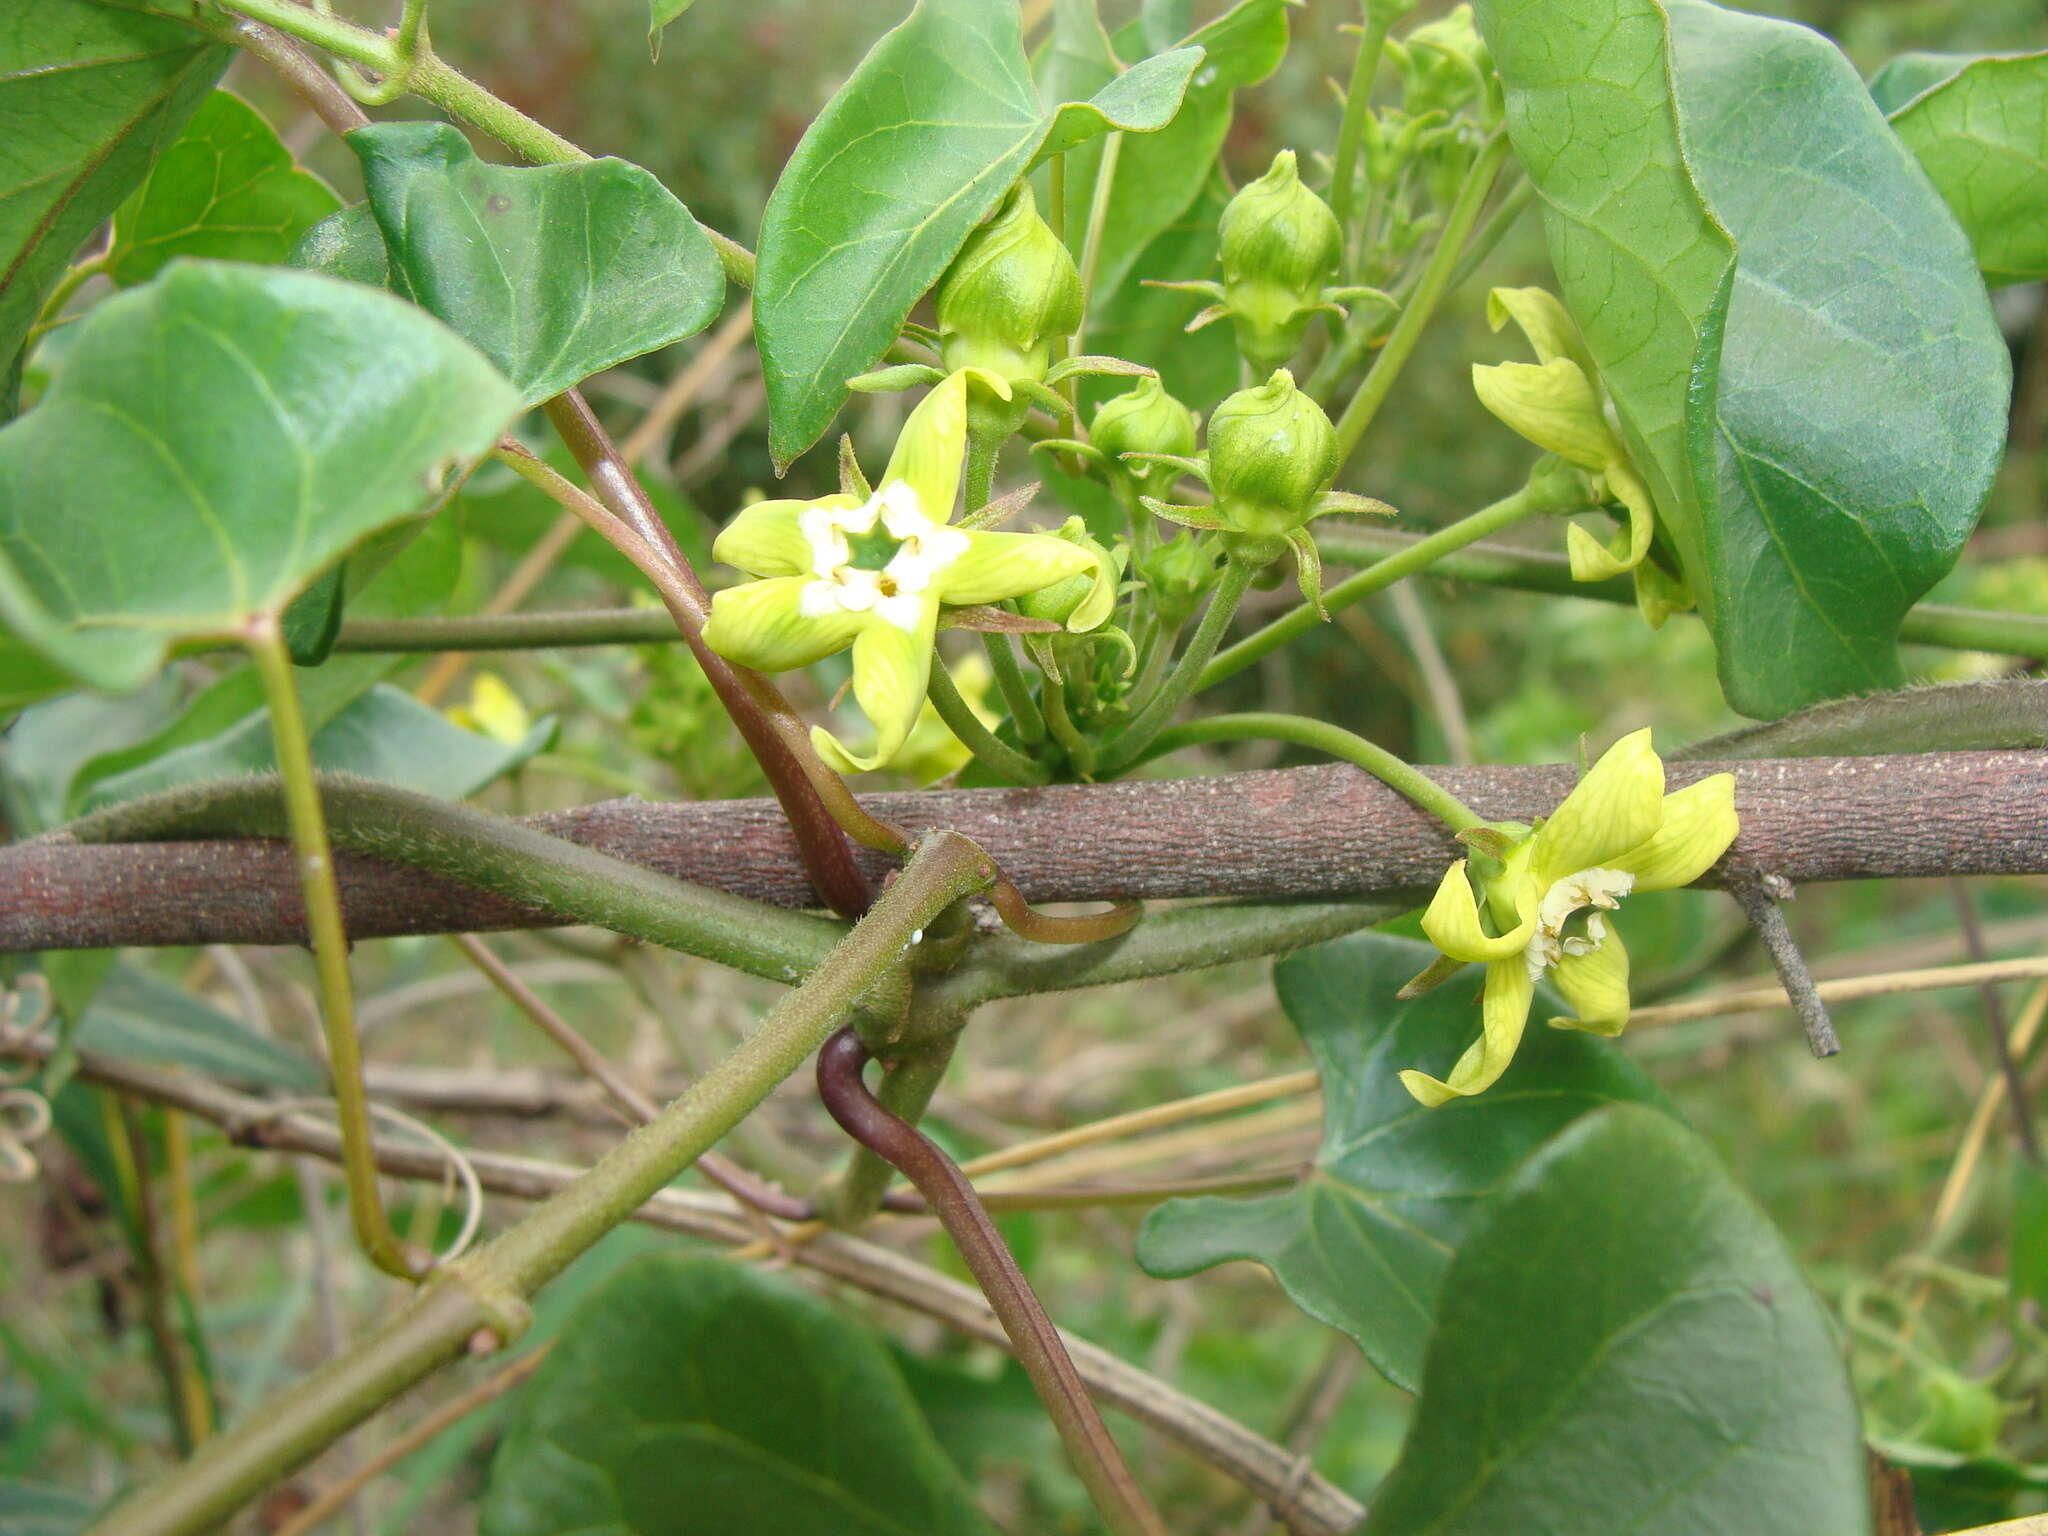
(226, 189)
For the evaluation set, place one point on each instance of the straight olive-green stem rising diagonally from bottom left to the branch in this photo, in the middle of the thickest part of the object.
(488, 1291)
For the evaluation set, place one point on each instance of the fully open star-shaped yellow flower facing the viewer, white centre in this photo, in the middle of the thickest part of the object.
(873, 574)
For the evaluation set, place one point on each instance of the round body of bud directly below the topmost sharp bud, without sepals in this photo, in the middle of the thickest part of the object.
(1271, 454)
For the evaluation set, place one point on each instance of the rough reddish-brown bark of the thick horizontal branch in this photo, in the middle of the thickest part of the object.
(1293, 833)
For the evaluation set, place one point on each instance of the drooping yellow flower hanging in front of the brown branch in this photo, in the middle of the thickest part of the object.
(1613, 837)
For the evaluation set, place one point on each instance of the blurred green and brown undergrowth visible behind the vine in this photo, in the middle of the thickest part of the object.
(1848, 1156)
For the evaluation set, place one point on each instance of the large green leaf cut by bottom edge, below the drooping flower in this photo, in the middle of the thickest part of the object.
(1625, 1345)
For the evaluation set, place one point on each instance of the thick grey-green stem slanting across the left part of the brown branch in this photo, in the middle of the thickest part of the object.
(566, 880)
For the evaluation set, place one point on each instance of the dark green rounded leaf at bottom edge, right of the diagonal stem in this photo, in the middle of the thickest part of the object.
(695, 1396)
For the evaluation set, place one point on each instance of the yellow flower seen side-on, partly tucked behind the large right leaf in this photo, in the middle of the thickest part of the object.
(1558, 404)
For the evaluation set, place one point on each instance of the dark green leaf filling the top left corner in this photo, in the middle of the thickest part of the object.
(89, 97)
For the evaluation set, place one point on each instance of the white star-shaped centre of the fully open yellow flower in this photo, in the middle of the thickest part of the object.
(845, 544)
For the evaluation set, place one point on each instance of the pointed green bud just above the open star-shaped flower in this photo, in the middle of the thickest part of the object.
(1009, 292)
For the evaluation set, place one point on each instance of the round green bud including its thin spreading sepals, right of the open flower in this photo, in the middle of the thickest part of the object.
(1271, 460)
